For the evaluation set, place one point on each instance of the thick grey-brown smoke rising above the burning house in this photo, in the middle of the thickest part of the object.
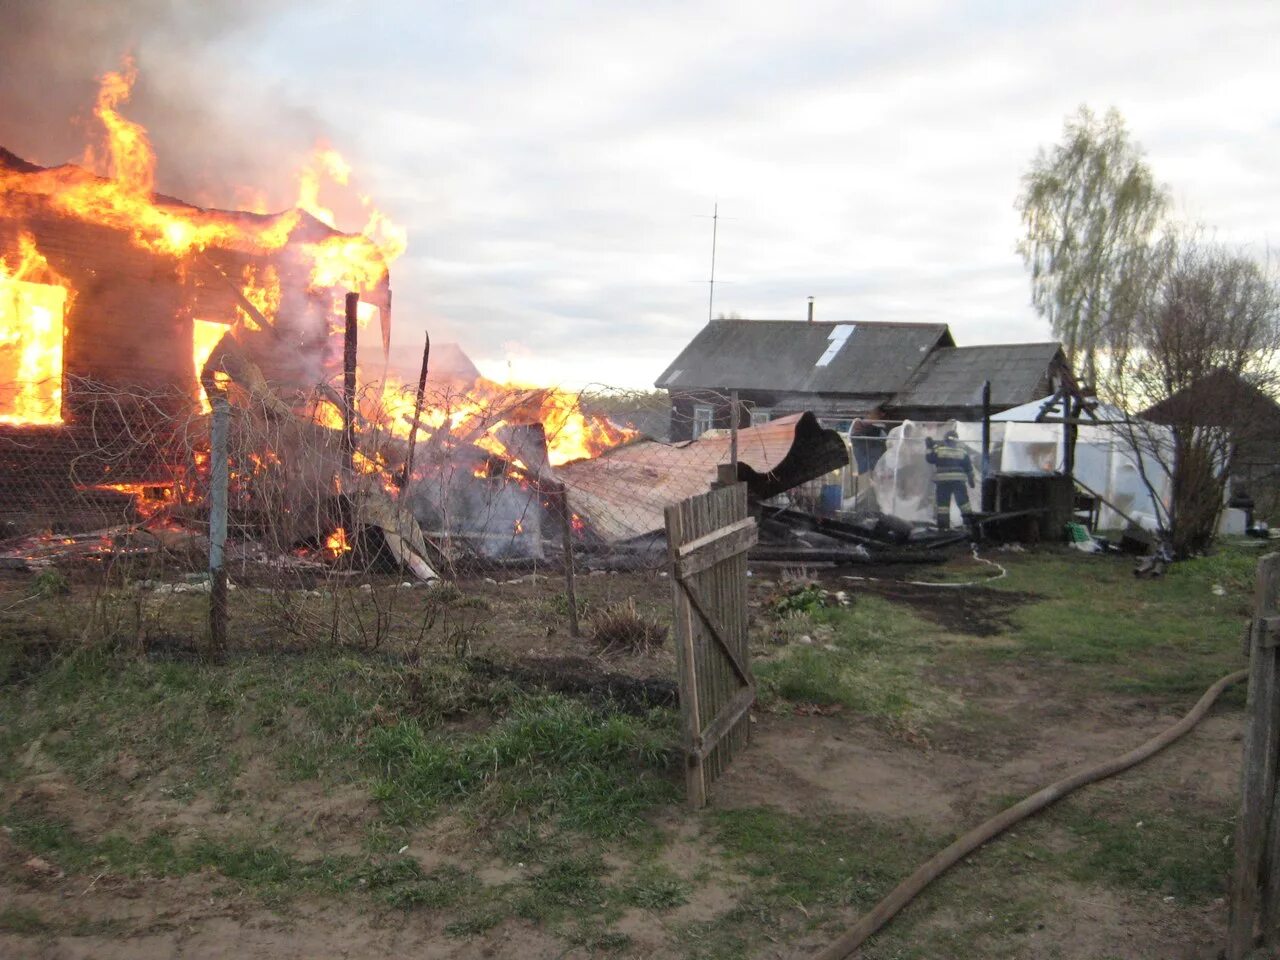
(217, 130)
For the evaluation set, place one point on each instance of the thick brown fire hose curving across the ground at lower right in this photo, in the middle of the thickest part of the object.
(929, 872)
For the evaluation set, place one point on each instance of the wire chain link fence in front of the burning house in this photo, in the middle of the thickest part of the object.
(344, 538)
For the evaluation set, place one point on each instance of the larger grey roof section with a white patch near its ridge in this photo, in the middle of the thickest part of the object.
(788, 355)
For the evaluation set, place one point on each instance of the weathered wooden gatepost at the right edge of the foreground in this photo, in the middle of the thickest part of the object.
(1255, 895)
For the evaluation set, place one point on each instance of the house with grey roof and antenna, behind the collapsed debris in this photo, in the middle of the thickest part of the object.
(845, 373)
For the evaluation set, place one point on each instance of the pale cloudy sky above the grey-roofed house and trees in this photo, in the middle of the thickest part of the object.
(555, 163)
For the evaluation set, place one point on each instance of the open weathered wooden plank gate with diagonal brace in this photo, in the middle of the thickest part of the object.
(708, 537)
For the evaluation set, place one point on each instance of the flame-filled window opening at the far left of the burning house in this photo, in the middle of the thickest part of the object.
(31, 342)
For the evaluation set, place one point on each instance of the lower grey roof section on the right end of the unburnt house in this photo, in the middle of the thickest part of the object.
(953, 377)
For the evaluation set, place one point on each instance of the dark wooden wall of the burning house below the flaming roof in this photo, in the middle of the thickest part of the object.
(130, 406)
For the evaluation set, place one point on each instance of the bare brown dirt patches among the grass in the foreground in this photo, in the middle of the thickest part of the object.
(799, 762)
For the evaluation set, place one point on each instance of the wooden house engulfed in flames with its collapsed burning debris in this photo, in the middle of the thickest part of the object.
(125, 314)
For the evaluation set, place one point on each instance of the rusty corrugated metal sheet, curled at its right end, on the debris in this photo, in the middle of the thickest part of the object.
(623, 493)
